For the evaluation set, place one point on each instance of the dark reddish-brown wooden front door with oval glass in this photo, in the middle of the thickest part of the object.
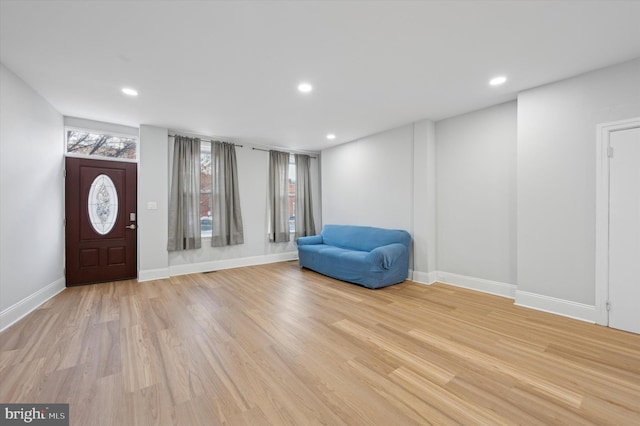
(101, 227)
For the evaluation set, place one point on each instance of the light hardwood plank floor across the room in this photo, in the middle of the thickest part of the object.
(278, 345)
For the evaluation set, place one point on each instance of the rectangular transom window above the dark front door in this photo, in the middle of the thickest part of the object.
(92, 143)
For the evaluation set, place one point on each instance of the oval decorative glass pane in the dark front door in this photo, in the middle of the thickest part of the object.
(102, 204)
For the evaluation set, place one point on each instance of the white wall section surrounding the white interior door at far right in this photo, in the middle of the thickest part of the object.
(556, 180)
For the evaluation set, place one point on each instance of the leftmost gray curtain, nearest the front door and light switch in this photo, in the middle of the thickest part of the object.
(184, 200)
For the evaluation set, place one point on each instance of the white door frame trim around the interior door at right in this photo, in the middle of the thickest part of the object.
(604, 131)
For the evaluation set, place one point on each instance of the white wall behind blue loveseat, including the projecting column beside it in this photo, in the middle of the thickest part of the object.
(387, 180)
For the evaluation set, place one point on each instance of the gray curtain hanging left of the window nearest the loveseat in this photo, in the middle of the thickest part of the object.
(278, 211)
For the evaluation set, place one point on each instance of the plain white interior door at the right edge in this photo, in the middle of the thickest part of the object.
(624, 230)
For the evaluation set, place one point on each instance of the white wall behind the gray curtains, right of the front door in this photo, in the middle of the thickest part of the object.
(153, 186)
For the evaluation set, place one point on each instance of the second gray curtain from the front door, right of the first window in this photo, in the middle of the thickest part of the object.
(227, 216)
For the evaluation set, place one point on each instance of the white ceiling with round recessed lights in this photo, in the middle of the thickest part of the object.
(230, 69)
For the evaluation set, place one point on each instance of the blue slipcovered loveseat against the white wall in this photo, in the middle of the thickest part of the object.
(372, 257)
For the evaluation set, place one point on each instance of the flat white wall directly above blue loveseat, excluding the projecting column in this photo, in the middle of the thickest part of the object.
(370, 181)
